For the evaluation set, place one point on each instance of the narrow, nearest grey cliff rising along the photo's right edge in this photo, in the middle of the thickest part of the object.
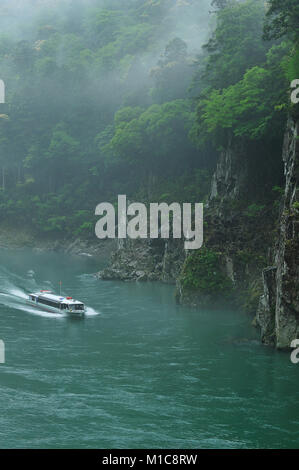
(278, 312)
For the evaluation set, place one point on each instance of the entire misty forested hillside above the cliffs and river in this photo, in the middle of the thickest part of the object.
(111, 97)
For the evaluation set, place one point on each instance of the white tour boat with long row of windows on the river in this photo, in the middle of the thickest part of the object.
(49, 302)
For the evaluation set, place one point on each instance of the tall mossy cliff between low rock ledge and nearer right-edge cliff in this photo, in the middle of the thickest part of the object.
(236, 245)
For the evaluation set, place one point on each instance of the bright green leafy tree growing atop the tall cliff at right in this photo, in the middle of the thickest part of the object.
(247, 109)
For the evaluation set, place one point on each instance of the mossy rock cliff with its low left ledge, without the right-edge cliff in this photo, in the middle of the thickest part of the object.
(234, 252)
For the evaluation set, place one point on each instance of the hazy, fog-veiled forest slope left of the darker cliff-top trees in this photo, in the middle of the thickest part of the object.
(97, 105)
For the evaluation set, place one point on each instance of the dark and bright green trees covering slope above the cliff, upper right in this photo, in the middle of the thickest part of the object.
(247, 79)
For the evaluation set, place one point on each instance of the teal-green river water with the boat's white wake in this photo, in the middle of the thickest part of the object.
(138, 371)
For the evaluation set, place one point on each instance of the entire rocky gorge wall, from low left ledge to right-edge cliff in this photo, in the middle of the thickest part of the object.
(250, 253)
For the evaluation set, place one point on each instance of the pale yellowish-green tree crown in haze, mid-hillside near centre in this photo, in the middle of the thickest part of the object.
(155, 140)
